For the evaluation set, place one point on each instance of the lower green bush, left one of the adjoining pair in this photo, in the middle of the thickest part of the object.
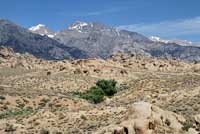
(94, 94)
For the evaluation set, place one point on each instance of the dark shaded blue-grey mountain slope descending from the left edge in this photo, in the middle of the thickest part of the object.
(22, 41)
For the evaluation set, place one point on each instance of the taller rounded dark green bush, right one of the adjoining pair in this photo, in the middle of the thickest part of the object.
(108, 86)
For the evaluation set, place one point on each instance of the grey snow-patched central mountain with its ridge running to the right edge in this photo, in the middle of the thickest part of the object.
(101, 41)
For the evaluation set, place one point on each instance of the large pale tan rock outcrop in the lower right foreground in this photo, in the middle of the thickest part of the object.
(145, 118)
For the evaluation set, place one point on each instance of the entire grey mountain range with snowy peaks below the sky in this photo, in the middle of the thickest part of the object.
(84, 40)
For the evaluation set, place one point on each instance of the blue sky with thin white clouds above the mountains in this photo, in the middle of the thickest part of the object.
(168, 19)
